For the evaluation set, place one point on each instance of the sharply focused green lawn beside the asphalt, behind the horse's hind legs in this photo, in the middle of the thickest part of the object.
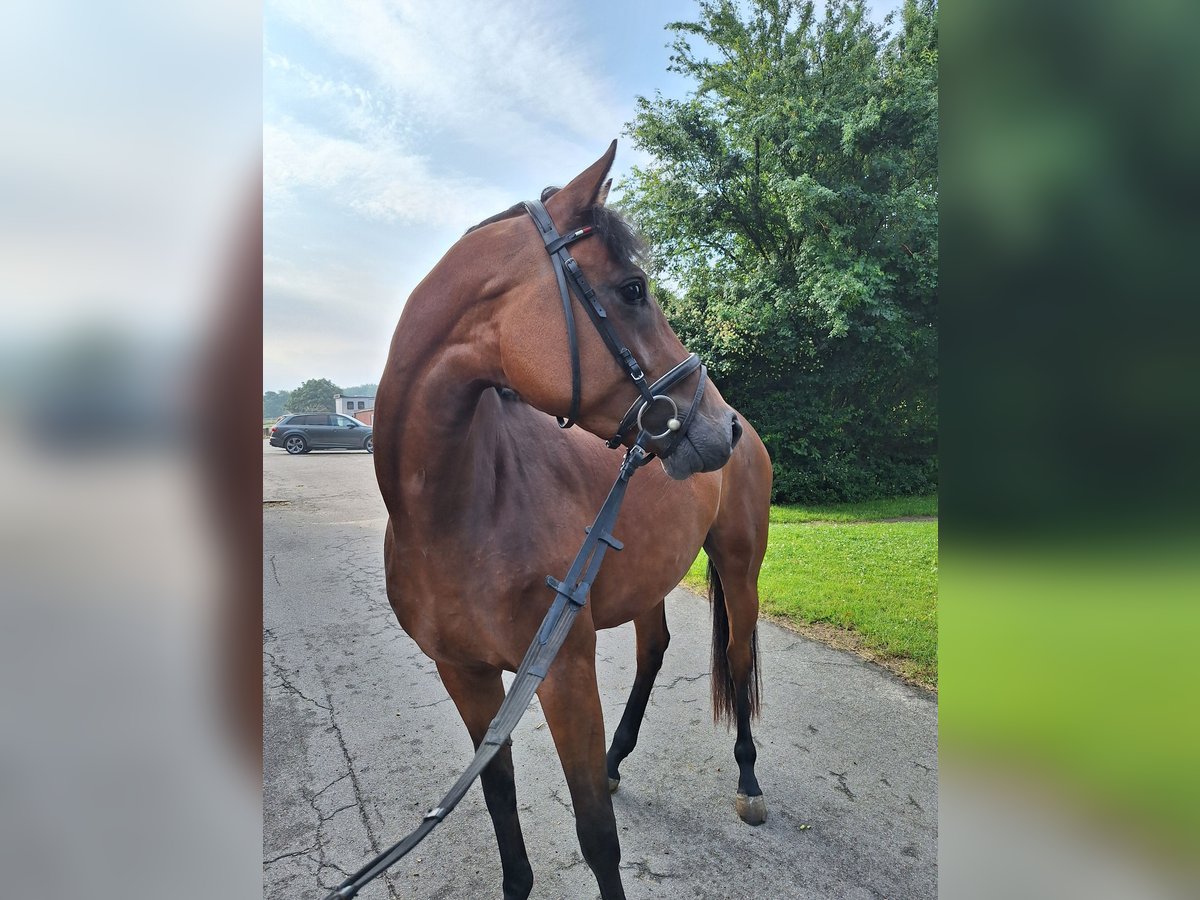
(875, 583)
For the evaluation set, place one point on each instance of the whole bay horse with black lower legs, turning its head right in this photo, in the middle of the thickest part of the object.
(487, 497)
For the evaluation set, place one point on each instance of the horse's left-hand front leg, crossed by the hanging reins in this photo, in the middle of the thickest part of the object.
(478, 694)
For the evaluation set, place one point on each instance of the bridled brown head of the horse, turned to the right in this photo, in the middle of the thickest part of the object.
(693, 429)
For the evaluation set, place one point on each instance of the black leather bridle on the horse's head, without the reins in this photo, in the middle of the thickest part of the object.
(572, 279)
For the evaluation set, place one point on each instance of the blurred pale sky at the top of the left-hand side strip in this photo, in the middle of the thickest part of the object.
(122, 194)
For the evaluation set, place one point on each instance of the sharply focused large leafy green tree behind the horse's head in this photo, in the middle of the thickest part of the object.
(794, 201)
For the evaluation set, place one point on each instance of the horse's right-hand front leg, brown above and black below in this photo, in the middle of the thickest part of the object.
(571, 701)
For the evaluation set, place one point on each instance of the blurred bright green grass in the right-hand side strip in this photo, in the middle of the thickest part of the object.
(1079, 664)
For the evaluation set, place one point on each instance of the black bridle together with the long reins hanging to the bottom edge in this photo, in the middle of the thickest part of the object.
(571, 593)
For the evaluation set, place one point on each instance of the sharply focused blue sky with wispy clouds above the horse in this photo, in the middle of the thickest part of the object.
(392, 127)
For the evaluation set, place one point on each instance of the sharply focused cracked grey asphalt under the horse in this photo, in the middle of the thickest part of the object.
(361, 740)
